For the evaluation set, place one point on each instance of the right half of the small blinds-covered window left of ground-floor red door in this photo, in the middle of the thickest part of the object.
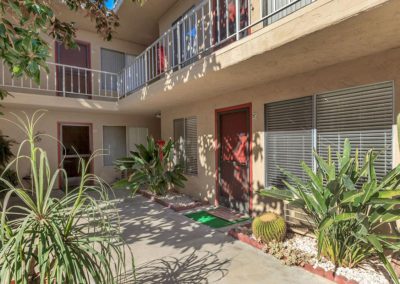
(191, 145)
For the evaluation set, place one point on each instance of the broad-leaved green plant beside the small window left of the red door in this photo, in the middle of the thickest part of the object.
(151, 167)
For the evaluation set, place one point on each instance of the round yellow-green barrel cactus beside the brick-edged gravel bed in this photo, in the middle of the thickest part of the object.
(269, 227)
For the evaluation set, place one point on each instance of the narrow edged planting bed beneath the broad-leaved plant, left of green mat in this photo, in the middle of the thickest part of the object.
(173, 200)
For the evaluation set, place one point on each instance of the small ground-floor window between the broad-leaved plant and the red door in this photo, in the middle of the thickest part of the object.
(185, 137)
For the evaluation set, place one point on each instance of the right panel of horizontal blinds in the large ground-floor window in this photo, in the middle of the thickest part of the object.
(362, 114)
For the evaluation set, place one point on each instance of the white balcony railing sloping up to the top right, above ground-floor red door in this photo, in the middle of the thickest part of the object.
(208, 26)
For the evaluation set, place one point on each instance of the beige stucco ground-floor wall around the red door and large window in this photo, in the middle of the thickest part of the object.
(375, 68)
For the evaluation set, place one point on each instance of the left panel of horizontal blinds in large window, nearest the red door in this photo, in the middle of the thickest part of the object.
(288, 138)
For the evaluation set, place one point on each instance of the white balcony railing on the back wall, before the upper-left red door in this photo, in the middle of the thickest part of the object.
(66, 81)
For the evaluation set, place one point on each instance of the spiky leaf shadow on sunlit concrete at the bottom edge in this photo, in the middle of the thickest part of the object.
(196, 267)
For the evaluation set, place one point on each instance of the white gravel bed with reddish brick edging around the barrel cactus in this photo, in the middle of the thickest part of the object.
(302, 251)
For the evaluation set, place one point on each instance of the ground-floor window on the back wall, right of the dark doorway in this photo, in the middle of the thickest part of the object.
(114, 144)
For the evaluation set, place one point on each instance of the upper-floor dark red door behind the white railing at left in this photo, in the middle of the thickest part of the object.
(77, 81)
